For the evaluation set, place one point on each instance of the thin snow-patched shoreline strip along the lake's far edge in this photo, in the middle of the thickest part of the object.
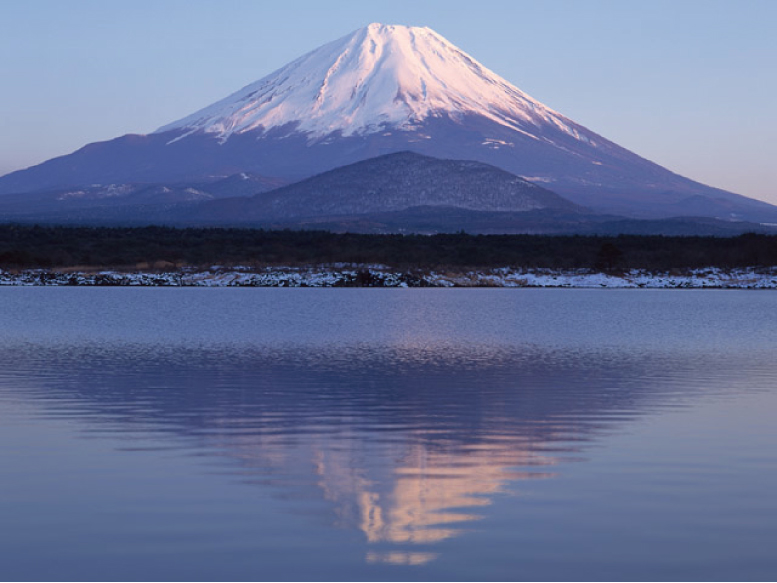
(381, 276)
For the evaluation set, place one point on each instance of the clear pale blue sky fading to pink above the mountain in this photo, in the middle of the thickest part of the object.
(689, 84)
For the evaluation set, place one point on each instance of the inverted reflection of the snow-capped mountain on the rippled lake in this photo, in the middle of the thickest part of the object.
(405, 443)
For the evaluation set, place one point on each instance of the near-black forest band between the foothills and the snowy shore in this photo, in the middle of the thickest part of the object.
(143, 248)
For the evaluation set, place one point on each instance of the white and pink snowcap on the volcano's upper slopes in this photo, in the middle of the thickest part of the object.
(378, 77)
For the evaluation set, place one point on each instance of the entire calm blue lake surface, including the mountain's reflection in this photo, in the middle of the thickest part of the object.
(243, 434)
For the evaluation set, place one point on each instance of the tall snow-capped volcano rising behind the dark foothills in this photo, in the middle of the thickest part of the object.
(385, 89)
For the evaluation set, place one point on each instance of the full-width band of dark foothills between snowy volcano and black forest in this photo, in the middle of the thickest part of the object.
(395, 193)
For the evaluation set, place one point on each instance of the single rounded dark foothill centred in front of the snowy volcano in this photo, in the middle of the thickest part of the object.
(390, 183)
